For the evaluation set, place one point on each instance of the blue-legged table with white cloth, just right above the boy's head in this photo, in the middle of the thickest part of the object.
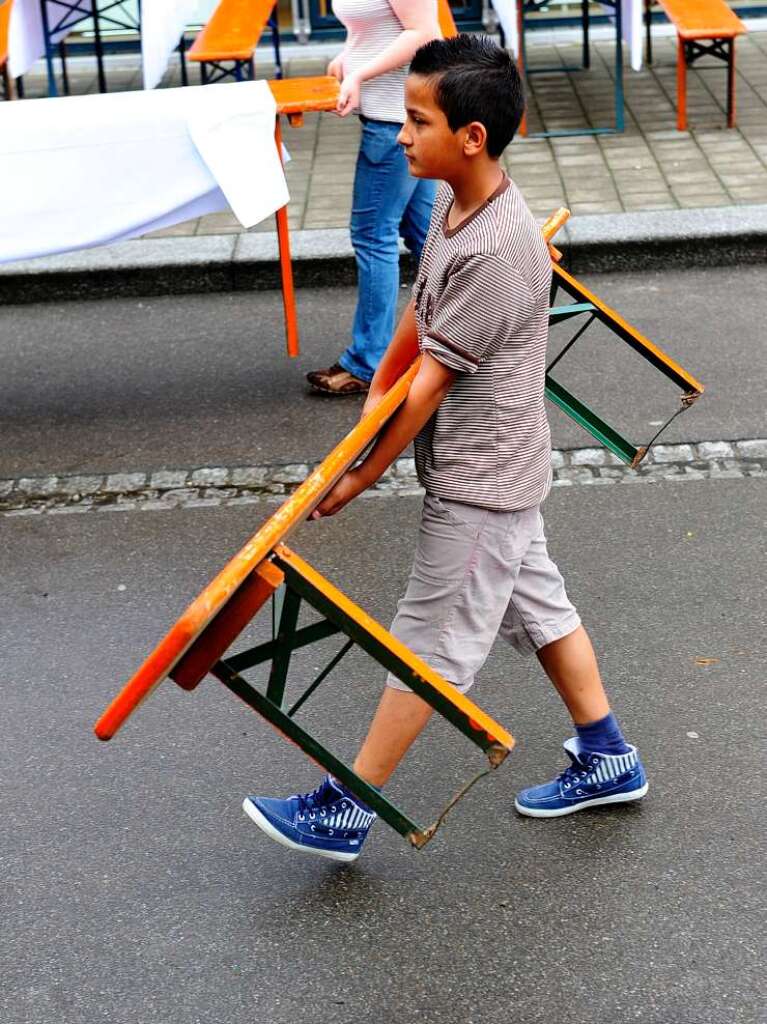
(627, 18)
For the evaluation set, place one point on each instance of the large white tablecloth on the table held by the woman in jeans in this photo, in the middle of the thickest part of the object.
(84, 172)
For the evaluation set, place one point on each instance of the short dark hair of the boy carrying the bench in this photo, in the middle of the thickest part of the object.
(477, 81)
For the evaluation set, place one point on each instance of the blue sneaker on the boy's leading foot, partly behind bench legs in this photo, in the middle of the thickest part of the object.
(329, 823)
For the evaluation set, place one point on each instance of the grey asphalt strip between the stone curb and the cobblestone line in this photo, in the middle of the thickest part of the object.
(144, 385)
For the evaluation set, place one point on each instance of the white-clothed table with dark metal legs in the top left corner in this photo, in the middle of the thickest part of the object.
(37, 27)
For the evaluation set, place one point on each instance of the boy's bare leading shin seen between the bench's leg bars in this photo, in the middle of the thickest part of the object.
(399, 721)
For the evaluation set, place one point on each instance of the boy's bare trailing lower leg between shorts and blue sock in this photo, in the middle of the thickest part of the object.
(572, 666)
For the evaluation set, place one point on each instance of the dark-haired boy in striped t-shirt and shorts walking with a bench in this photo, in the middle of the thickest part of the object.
(476, 410)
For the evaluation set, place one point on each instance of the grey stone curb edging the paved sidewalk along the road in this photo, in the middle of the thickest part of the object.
(715, 237)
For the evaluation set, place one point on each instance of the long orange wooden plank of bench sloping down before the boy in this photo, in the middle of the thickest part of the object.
(205, 608)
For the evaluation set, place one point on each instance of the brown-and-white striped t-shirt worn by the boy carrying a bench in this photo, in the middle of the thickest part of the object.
(483, 310)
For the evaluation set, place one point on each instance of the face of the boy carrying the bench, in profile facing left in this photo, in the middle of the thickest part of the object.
(432, 149)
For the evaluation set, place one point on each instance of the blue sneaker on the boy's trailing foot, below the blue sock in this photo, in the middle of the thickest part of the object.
(591, 780)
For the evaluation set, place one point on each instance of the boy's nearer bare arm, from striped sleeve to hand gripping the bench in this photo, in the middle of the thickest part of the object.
(432, 385)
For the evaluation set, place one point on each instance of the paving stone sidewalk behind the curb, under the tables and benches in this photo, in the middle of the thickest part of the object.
(652, 166)
